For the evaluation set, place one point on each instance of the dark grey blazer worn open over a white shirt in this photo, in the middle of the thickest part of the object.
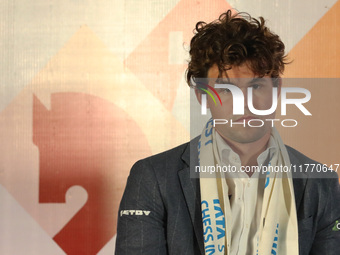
(160, 209)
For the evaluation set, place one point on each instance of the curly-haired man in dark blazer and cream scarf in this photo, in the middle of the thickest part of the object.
(164, 211)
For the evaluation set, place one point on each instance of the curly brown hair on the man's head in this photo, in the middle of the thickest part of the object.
(232, 40)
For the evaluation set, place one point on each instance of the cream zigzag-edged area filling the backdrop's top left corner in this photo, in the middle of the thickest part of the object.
(32, 32)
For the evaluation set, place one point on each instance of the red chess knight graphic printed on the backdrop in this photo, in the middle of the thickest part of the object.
(80, 142)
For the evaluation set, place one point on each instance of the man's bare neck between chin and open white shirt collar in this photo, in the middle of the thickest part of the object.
(249, 152)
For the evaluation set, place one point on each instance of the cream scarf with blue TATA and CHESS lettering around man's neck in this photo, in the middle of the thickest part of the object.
(278, 233)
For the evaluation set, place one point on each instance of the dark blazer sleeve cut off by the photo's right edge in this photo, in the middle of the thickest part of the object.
(327, 237)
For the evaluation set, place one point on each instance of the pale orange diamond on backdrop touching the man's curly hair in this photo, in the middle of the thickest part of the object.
(150, 60)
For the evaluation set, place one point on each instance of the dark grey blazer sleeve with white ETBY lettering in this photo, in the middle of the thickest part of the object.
(141, 216)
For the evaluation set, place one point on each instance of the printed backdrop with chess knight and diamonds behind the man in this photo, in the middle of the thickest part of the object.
(89, 87)
